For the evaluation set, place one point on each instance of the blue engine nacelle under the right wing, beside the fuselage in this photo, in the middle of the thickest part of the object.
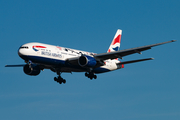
(87, 61)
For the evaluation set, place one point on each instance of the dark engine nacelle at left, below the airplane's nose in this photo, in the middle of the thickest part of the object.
(33, 70)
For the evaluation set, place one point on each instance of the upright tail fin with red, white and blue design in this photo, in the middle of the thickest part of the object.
(115, 45)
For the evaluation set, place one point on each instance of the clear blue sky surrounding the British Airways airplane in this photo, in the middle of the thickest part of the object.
(147, 90)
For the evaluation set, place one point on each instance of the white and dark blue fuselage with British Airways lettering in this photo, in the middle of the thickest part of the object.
(54, 56)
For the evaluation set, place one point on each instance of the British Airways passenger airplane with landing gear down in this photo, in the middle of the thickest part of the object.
(39, 56)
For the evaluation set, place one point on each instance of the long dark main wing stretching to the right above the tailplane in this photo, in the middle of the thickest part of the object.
(122, 53)
